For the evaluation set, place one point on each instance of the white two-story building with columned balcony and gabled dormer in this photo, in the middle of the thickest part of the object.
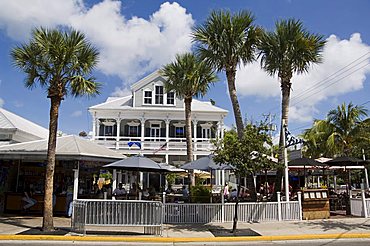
(151, 122)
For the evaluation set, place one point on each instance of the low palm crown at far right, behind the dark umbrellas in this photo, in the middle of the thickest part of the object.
(343, 130)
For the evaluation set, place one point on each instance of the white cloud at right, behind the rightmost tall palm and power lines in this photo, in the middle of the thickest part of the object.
(343, 70)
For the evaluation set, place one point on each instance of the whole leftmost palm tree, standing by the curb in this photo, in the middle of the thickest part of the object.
(62, 63)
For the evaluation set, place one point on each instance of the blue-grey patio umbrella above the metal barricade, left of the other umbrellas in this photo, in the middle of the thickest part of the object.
(137, 163)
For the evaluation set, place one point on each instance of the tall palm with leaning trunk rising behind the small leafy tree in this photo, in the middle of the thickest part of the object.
(225, 41)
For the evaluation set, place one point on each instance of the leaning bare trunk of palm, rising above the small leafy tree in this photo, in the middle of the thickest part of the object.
(230, 74)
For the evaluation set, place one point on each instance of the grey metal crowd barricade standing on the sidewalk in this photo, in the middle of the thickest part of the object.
(117, 213)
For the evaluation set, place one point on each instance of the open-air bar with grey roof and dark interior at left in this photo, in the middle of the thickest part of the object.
(23, 169)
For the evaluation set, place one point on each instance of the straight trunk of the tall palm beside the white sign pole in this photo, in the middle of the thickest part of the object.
(285, 90)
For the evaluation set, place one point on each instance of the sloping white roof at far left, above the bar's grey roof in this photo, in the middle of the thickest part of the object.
(12, 121)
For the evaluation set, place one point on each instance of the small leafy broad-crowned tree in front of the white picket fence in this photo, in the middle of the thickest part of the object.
(247, 155)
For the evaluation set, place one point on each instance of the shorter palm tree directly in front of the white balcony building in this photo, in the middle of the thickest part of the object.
(188, 77)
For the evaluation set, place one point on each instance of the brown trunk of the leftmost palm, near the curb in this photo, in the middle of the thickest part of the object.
(47, 223)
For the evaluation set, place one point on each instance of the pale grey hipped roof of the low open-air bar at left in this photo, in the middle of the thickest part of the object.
(67, 146)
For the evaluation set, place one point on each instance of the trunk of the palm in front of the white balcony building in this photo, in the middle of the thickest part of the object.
(189, 144)
